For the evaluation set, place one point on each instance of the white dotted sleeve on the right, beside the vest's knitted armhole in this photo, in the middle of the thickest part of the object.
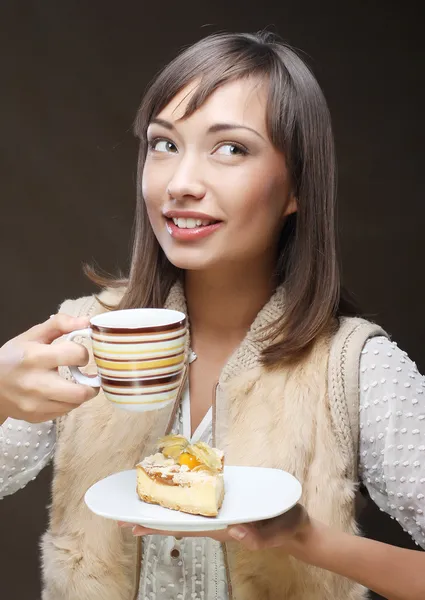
(392, 434)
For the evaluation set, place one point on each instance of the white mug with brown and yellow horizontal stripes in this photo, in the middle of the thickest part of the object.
(140, 355)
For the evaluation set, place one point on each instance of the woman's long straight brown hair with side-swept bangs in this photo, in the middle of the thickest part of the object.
(299, 125)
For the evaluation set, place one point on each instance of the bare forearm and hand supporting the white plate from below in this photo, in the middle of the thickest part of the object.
(395, 573)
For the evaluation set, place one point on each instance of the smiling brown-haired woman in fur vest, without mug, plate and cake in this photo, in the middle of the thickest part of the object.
(234, 226)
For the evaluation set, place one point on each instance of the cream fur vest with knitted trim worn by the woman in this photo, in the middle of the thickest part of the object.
(303, 419)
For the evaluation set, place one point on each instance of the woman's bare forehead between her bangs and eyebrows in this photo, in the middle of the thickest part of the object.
(242, 101)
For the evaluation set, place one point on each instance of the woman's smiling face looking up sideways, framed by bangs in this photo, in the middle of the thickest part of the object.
(216, 190)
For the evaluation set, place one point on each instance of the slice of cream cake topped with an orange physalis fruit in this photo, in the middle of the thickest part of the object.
(182, 476)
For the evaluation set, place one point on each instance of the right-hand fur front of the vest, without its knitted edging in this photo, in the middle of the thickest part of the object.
(283, 420)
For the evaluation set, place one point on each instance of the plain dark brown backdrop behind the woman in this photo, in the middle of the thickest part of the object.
(71, 77)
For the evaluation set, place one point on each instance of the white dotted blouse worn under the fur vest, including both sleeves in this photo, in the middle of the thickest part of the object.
(391, 466)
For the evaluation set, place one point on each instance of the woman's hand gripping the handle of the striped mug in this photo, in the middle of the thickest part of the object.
(30, 387)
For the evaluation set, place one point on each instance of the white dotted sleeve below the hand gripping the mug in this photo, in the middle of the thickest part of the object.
(25, 449)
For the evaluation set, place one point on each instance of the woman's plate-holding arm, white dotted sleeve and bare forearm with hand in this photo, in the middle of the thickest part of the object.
(392, 467)
